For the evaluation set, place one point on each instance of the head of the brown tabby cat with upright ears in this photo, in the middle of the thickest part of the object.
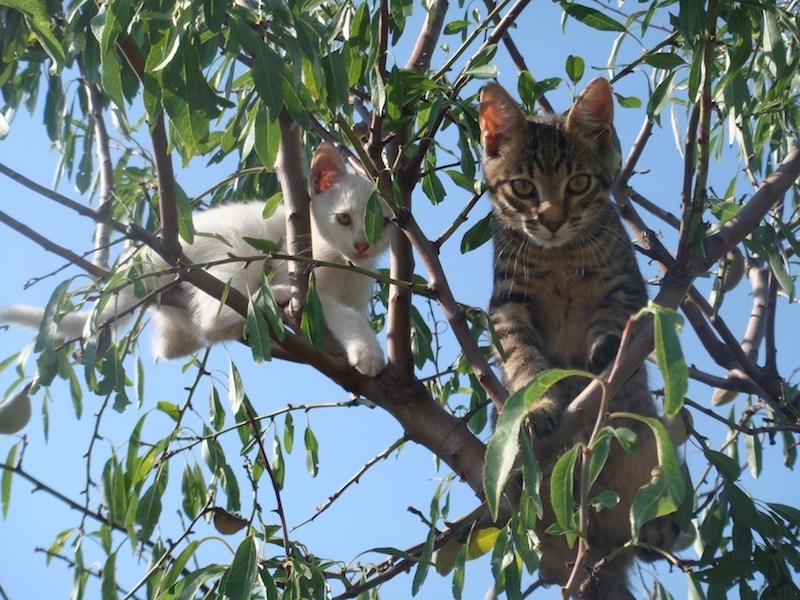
(548, 177)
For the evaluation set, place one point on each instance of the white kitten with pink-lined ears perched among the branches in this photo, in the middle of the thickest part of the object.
(338, 205)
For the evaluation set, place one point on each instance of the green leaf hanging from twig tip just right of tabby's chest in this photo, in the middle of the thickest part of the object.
(670, 356)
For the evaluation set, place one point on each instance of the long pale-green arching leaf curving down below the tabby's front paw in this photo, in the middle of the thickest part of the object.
(502, 450)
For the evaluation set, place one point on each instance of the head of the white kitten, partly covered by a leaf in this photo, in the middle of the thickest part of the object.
(338, 205)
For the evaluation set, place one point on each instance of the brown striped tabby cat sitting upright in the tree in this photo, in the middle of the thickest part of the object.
(565, 283)
